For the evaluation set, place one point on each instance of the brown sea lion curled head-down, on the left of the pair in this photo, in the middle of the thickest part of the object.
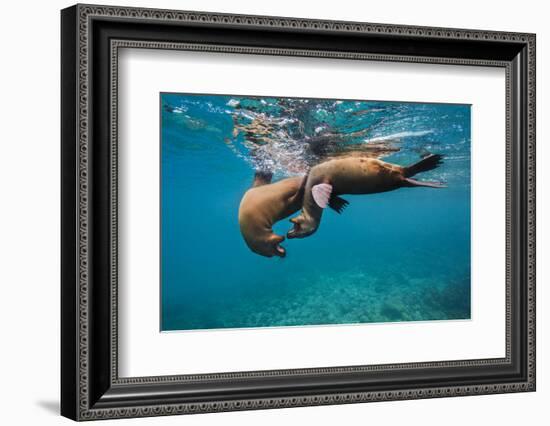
(265, 204)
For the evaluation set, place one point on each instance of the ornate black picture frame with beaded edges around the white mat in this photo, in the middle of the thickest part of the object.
(91, 387)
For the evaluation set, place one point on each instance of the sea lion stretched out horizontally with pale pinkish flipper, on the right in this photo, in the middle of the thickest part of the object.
(353, 175)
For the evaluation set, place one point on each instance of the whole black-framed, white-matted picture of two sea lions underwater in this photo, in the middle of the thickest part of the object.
(263, 212)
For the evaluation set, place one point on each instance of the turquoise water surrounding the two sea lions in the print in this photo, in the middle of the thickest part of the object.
(402, 255)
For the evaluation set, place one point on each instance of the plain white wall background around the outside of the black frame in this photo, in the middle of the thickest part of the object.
(29, 217)
